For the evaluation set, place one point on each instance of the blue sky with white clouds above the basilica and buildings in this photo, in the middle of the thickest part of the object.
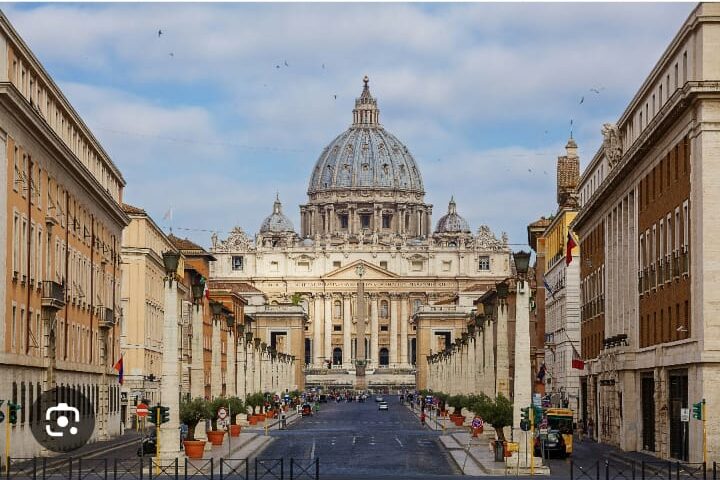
(210, 109)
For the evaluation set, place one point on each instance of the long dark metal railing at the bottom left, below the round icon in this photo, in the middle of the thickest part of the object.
(148, 469)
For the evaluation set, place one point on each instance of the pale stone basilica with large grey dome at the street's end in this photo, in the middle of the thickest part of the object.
(365, 233)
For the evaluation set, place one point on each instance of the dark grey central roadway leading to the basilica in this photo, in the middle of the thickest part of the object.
(356, 440)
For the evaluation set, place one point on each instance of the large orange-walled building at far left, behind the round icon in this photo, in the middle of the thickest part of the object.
(60, 206)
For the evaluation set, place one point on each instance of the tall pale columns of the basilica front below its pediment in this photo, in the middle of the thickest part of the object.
(396, 312)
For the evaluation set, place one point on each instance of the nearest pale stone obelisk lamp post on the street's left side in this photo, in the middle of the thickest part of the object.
(170, 380)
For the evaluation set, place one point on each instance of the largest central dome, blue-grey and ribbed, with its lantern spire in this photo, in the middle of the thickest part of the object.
(366, 156)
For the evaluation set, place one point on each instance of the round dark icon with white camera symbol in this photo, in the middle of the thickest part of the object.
(66, 419)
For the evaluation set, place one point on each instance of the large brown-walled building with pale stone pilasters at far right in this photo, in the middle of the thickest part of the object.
(649, 236)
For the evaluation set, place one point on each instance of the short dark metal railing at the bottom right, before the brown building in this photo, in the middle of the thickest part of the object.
(655, 470)
